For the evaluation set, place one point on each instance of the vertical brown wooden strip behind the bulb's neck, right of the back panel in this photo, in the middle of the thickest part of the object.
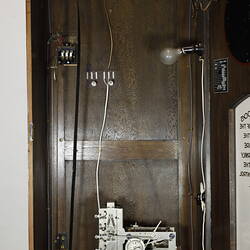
(184, 129)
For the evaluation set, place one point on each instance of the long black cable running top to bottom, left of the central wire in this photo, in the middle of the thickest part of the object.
(77, 94)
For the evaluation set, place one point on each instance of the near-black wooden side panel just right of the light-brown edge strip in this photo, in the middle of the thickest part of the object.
(39, 113)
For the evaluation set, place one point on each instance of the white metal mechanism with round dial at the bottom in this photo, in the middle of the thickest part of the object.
(113, 236)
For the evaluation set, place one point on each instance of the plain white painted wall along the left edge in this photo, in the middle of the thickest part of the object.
(13, 127)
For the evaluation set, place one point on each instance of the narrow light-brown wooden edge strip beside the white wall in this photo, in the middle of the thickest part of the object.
(30, 122)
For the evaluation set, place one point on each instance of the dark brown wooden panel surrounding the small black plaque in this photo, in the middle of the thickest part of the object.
(239, 78)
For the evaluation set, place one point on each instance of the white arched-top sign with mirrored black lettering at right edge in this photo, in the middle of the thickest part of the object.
(242, 174)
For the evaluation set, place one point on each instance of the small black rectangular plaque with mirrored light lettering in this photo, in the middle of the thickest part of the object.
(220, 75)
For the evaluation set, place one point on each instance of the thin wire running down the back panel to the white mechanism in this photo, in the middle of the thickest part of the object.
(105, 107)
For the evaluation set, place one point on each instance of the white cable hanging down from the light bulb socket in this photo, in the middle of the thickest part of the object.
(203, 189)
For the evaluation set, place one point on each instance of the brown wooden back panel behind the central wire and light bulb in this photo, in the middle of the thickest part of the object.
(143, 107)
